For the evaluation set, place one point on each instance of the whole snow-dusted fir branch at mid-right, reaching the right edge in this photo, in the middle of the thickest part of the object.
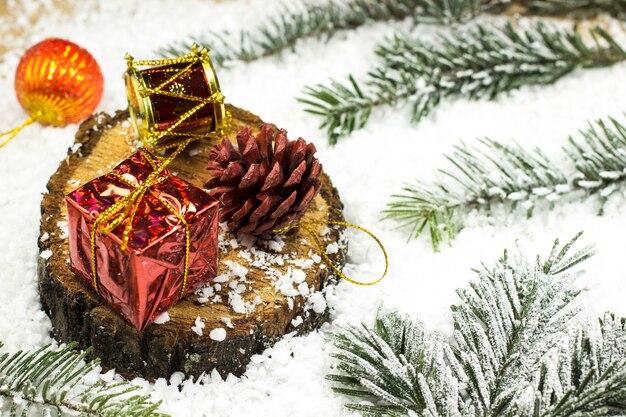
(493, 174)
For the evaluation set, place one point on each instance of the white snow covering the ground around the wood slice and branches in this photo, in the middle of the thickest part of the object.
(367, 167)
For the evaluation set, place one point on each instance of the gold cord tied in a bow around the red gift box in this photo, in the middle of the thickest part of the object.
(126, 207)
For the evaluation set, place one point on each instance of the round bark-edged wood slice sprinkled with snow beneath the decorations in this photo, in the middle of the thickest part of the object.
(260, 296)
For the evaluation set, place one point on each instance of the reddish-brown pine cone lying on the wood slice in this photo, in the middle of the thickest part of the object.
(268, 182)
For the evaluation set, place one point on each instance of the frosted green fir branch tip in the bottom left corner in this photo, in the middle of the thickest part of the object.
(54, 383)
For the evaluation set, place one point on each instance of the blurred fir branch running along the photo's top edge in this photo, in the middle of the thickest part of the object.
(291, 22)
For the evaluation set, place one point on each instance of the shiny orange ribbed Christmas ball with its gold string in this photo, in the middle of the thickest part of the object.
(57, 83)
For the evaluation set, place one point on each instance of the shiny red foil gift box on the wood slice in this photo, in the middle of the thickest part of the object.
(148, 276)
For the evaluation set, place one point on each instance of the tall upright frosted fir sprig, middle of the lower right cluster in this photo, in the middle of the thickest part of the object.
(508, 320)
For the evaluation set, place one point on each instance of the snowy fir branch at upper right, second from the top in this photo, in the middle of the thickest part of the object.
(480, 63)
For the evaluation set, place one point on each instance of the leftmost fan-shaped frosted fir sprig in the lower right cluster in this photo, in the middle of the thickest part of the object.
(398, 362)
